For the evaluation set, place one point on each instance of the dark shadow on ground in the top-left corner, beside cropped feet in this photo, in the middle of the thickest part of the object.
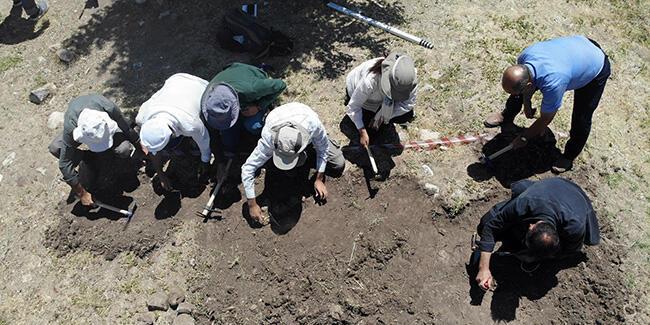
(15, 29)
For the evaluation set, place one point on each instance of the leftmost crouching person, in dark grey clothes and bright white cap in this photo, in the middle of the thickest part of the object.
(95, 121)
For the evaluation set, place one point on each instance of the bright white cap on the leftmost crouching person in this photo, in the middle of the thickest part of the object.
(95, 129)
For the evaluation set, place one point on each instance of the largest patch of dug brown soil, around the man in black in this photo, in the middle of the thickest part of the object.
(387, 260)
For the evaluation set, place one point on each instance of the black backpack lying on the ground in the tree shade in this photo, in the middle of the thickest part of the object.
(241, 33)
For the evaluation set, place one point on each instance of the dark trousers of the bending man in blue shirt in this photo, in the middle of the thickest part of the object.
(585, 102)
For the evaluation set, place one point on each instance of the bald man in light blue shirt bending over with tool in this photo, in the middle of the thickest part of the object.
(554, 67)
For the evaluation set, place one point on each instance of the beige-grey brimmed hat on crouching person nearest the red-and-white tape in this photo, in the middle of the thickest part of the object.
(398, 77)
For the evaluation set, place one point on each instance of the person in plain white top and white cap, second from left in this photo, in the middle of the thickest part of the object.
(171, 113)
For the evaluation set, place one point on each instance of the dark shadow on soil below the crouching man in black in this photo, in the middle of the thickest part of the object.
(513, 282)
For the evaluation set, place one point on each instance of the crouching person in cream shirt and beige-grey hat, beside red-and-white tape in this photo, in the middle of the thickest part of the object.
(381, 91)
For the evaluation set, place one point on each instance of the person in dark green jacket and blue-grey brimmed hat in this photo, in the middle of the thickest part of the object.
(237, 99)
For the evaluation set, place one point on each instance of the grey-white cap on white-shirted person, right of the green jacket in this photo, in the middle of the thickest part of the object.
(289, 141)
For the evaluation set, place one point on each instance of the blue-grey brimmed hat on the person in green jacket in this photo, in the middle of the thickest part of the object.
(220, 106)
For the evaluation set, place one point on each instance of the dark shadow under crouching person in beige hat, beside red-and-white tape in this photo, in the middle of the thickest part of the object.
(384, 145)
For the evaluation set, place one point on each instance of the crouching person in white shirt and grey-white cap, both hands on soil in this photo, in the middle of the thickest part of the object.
(292, 133)
